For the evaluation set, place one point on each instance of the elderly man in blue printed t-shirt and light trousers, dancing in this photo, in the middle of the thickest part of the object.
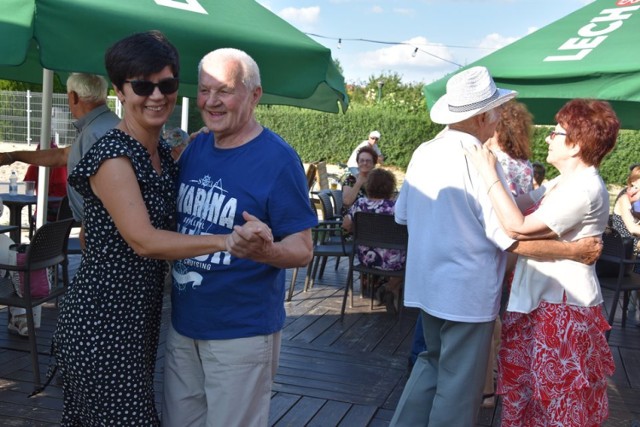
(228, 307)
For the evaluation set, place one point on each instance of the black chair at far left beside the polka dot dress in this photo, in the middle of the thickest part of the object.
(47, 249)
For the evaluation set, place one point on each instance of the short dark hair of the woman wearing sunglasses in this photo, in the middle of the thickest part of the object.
(140, 55)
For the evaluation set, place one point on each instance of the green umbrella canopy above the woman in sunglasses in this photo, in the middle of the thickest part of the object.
(72, 35)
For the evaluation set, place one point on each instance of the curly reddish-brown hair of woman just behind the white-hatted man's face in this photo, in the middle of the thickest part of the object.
(514, 130)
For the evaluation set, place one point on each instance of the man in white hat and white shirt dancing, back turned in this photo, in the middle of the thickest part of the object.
(456, 259)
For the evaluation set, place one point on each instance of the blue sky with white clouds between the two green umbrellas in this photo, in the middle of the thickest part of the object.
(447, 33)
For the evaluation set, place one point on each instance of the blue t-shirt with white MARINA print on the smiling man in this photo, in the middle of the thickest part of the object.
(218, 296)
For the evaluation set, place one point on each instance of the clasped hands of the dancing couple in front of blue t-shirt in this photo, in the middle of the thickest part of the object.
(252, 240)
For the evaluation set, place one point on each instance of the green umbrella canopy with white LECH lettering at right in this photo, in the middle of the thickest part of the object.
(591, 53)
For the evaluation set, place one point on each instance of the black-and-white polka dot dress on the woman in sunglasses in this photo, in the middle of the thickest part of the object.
(107, 334)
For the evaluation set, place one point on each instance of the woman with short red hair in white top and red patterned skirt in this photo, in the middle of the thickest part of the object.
(554, 360)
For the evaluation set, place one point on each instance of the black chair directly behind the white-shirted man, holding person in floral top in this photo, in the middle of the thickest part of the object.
(376, 231)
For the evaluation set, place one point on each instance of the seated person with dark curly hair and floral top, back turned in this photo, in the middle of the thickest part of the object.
(380, 187)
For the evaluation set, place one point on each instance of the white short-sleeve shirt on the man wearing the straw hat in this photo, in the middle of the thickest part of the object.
(455, 259)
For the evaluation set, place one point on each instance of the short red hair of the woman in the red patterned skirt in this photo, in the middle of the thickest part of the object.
(593, 125)
